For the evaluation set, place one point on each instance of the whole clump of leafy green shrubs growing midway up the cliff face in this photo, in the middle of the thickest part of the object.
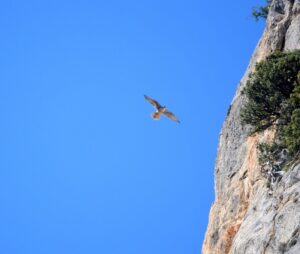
(273, 99)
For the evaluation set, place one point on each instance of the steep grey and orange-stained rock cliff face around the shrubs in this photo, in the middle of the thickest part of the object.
(246, 216)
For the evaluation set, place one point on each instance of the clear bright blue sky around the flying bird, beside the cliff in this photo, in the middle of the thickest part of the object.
(83, 167)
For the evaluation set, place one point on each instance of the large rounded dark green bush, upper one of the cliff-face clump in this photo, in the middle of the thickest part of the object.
(268, 88)
